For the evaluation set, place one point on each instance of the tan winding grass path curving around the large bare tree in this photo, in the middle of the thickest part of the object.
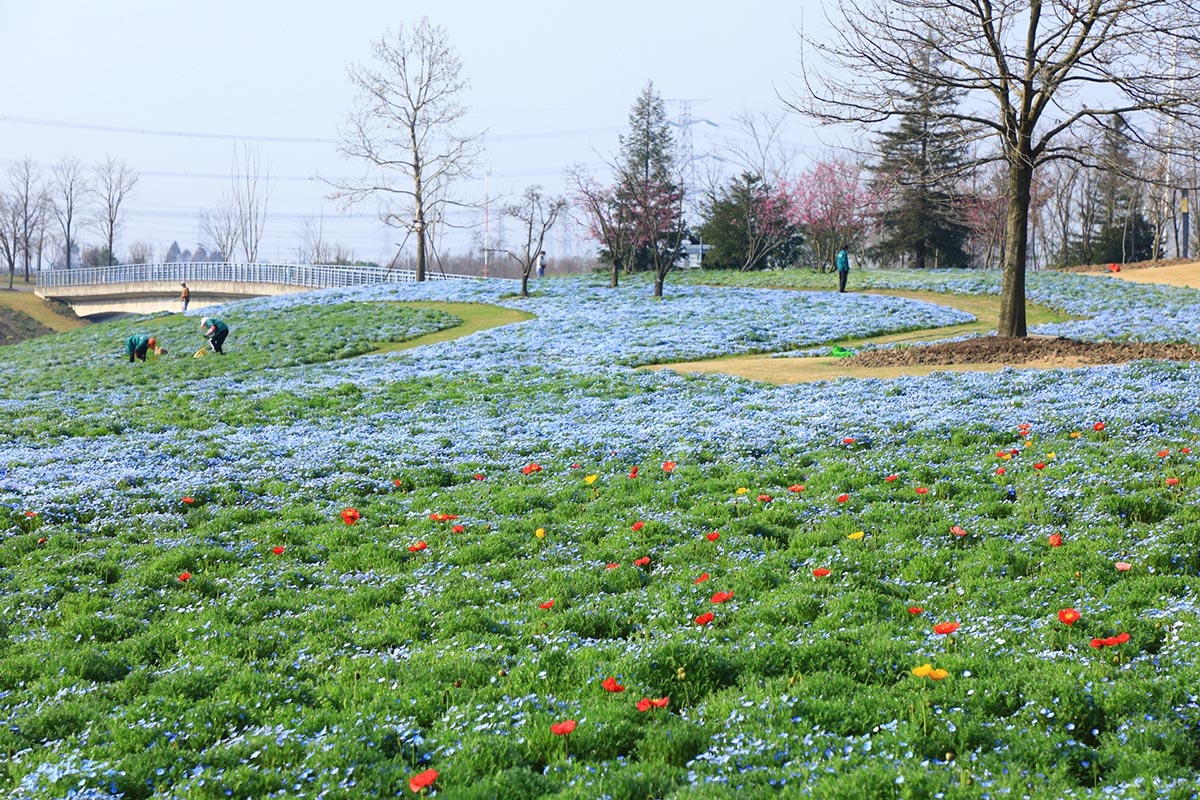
(796, 371)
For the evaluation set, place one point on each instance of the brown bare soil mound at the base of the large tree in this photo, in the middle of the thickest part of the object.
(998, 350)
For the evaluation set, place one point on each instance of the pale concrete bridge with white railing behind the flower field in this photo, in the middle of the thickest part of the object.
(149, 288)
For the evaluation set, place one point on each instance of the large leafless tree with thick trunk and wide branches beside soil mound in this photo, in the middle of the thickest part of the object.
(1031, 73)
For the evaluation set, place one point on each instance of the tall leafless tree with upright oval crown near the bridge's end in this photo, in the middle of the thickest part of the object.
(405, 125)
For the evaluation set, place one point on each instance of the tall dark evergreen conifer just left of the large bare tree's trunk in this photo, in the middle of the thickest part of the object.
(920, 161)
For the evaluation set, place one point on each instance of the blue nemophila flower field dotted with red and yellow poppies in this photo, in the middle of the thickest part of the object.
(317, 568)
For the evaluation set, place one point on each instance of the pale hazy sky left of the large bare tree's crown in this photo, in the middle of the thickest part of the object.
(173, 88)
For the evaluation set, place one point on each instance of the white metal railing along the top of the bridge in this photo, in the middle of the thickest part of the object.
(310, 276)
